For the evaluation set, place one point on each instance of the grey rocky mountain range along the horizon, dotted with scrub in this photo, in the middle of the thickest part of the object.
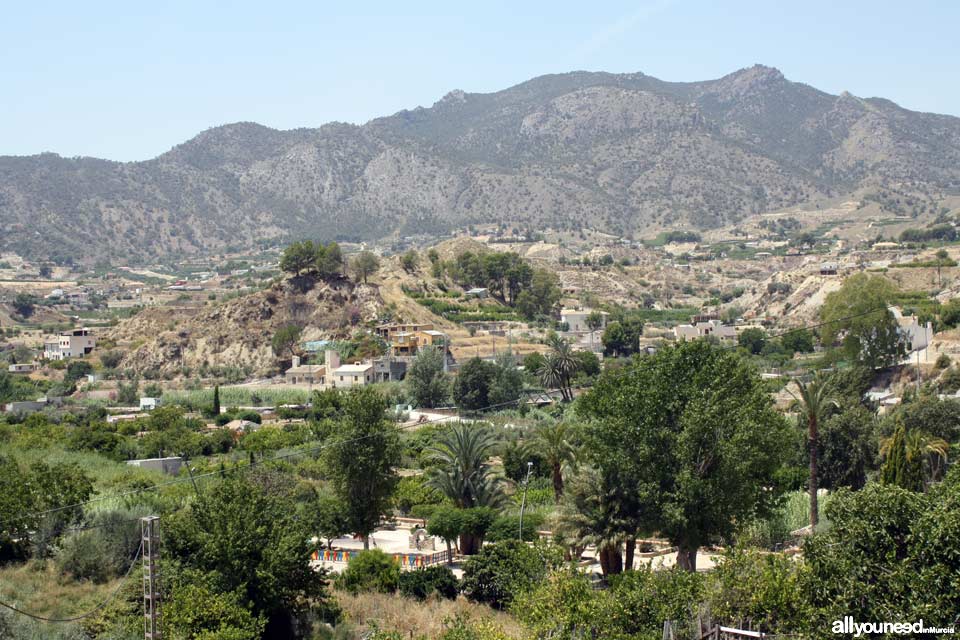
(623, 153)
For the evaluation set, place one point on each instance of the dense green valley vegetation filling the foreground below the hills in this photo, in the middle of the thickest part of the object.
(684, 446)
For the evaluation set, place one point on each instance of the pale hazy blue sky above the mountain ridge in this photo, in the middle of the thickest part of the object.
(128, 80)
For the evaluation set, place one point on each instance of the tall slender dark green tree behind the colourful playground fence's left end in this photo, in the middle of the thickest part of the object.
(363, 468)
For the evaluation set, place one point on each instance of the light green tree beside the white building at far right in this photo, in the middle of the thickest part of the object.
(857, 316)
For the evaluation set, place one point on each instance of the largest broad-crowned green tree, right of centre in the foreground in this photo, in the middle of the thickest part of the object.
(694, 431)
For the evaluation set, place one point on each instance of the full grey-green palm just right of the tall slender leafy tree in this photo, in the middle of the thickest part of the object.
(461, 470)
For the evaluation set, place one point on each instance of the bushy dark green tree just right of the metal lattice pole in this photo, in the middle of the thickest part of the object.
(250, 540)
